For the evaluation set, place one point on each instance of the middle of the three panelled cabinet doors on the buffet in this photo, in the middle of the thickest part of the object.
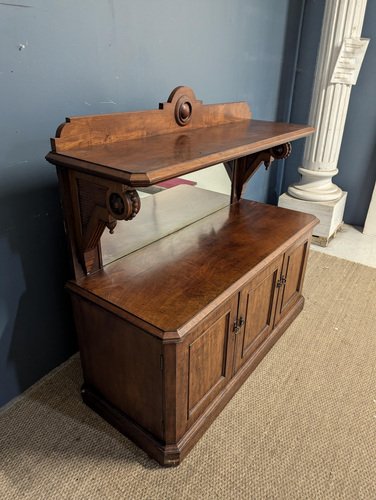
(256, 312)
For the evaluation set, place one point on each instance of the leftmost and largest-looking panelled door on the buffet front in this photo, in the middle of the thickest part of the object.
(205, 360)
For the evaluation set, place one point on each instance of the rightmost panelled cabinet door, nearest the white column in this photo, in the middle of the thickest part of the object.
(293, 269)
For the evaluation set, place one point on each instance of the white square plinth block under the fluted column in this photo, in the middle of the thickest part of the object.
(330, 214)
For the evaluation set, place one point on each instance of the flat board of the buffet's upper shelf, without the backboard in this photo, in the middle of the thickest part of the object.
(145, 161)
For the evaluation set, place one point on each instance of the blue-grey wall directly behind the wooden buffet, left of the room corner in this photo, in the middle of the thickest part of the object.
(63, 58)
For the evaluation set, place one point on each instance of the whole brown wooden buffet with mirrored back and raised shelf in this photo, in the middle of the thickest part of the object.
(172, 327)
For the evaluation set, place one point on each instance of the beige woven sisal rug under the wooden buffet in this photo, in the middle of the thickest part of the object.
(302, 427)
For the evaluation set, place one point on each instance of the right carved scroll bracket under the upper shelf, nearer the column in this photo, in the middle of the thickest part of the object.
(242, 169)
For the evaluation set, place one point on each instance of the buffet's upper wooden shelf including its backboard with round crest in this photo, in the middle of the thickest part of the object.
(183, 135)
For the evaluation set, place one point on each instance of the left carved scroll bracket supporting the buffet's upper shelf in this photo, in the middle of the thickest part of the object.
(100, 203)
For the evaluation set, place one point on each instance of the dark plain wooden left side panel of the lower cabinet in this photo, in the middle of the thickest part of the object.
(116, 366)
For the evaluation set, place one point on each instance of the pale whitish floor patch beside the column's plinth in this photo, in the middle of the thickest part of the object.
(351, 244)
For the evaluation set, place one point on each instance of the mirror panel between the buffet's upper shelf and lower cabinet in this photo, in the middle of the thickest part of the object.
(168, 207)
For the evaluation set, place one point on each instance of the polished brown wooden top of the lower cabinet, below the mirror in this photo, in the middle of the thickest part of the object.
(172, 280)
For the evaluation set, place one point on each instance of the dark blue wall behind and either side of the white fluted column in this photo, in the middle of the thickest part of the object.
(357, 173)
